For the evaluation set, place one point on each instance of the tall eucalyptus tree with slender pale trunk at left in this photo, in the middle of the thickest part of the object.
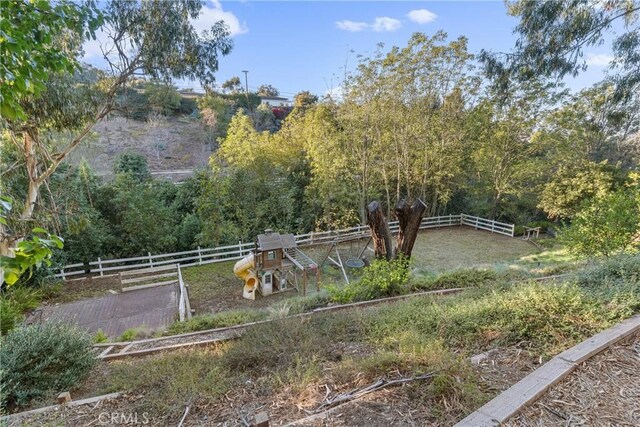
(152, 38)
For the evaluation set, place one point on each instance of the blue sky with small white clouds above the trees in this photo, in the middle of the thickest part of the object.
(300, 45)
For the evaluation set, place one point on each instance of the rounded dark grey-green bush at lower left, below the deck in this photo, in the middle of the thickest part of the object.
(41, 360)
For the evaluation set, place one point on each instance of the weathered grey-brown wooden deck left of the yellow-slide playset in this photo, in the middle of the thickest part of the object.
(150, 309)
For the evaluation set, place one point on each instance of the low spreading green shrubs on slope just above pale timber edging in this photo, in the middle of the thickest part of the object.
(549, 318)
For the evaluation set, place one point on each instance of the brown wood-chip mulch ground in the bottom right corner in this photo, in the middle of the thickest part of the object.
(603, 391)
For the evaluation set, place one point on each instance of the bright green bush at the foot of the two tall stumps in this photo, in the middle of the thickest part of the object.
(381, 279)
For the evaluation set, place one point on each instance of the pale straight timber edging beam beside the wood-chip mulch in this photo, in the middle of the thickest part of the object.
(529, 389)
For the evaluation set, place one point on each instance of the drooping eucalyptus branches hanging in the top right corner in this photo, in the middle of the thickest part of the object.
(553, 36)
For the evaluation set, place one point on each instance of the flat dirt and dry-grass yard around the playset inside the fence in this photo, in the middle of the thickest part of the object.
(214, 288)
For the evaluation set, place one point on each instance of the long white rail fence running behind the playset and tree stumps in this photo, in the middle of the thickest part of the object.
(200, 256)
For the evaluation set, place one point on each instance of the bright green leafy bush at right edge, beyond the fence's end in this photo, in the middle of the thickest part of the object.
(604, 225)
